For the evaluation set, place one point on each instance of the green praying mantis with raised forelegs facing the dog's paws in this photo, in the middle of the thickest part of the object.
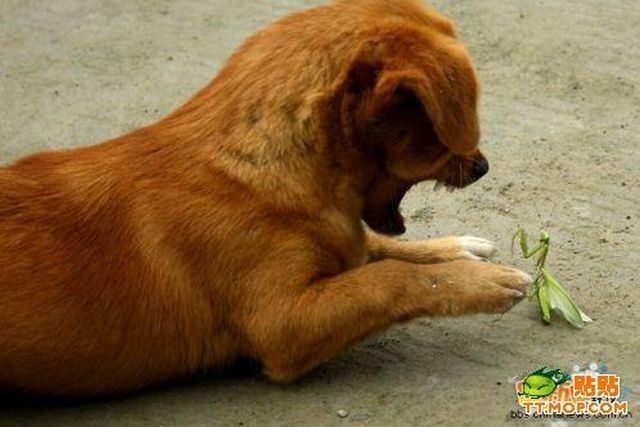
(551, 295)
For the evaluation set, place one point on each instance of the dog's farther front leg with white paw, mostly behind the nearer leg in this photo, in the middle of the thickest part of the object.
(428, 251)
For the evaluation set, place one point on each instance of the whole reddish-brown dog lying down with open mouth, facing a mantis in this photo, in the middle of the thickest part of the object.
(233, 227)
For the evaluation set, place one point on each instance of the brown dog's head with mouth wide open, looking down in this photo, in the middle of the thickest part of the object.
(410, 102)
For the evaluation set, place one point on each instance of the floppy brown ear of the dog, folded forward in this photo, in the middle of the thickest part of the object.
(445, 87)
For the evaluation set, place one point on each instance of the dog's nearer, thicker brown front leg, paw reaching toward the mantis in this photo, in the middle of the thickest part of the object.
(292, 332)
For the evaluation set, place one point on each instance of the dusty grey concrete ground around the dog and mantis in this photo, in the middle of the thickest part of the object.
(560, 114)
